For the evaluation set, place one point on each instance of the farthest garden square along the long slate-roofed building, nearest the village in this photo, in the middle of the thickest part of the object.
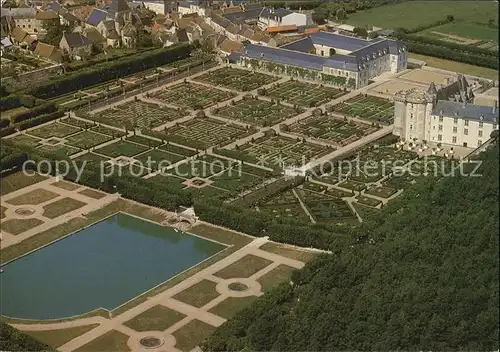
(237, 79)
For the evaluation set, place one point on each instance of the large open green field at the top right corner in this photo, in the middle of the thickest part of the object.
(421, 13)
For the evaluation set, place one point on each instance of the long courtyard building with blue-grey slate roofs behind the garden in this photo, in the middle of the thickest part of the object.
(328, 57)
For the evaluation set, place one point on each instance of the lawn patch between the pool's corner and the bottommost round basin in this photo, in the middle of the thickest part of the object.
(157, 318)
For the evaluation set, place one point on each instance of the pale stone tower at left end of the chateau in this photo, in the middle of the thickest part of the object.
(412, 113)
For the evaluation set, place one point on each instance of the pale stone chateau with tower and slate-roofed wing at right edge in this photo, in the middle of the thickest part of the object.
(444, 115)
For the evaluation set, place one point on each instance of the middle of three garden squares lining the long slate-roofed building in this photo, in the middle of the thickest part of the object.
(303, 94)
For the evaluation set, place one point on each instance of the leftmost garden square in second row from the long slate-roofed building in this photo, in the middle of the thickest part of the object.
(192, 96)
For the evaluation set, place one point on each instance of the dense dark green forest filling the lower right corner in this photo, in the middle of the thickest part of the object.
(422, 275)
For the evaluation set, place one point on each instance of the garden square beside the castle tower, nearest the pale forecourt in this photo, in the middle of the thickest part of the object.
(367, 107)
